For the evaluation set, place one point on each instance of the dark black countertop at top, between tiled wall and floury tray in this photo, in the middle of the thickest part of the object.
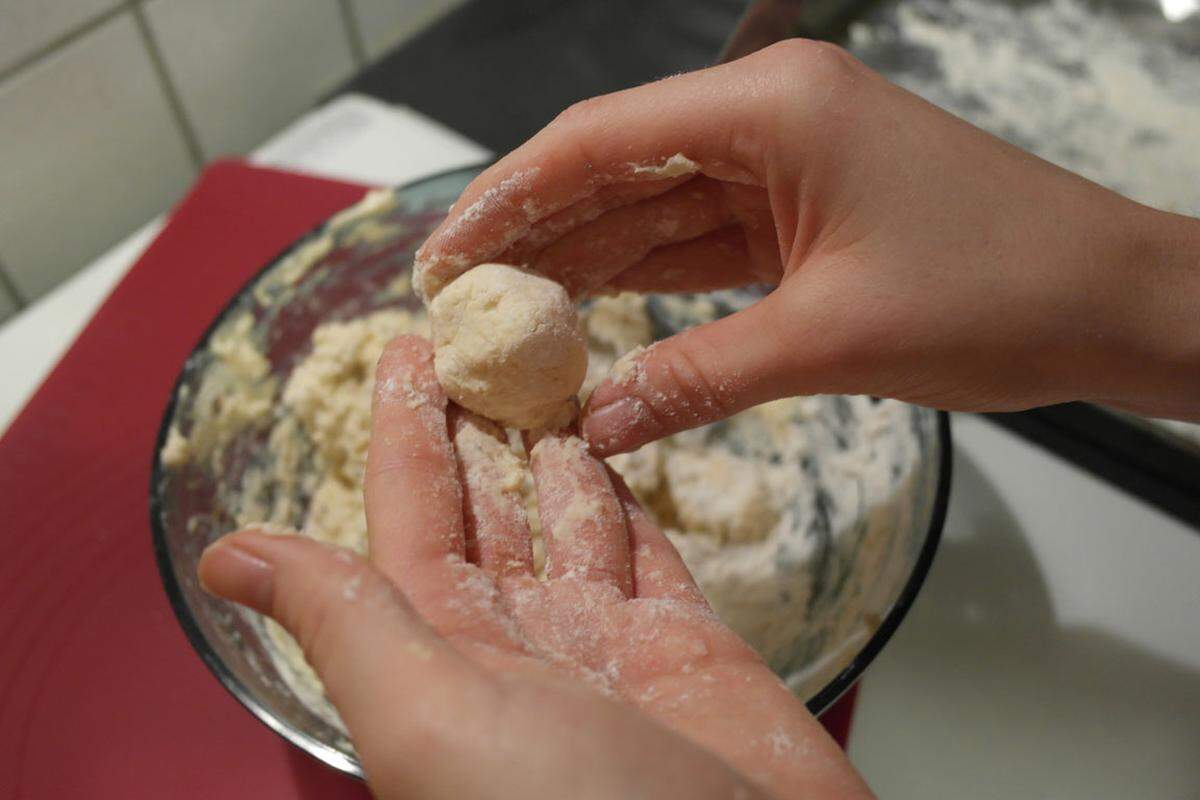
(463, 70)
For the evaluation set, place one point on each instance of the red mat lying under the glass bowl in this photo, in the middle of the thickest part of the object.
(101, 696)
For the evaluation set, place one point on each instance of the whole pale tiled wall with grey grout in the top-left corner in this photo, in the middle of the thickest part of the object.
(105, 121)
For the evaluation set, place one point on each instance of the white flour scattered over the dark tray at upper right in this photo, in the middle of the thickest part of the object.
(1109, 91)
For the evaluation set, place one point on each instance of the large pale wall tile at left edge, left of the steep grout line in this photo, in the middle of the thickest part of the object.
(88, 152)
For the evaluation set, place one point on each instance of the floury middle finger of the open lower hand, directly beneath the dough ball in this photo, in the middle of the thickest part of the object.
(494, 510)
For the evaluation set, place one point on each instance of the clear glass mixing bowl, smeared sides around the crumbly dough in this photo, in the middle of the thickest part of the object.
(346, 268)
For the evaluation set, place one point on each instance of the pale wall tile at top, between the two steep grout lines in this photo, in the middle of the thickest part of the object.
(244, 70)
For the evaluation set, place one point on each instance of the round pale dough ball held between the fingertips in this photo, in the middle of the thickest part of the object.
(509, 346)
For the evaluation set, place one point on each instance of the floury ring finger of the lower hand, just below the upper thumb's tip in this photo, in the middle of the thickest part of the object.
(581, 518)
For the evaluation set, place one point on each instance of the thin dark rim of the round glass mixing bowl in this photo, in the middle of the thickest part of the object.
(838, 685)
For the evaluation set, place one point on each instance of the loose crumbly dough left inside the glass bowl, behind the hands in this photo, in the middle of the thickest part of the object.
(785, 514)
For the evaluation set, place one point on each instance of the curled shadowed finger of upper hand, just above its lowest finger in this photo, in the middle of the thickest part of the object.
(592, 256)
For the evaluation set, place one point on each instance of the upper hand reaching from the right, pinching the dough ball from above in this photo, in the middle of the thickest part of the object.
(917, 257)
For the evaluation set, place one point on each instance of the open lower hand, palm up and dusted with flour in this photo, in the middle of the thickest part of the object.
(460, 675)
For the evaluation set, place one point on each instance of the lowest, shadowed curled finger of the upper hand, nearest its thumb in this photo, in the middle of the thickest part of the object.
(716, 261)
